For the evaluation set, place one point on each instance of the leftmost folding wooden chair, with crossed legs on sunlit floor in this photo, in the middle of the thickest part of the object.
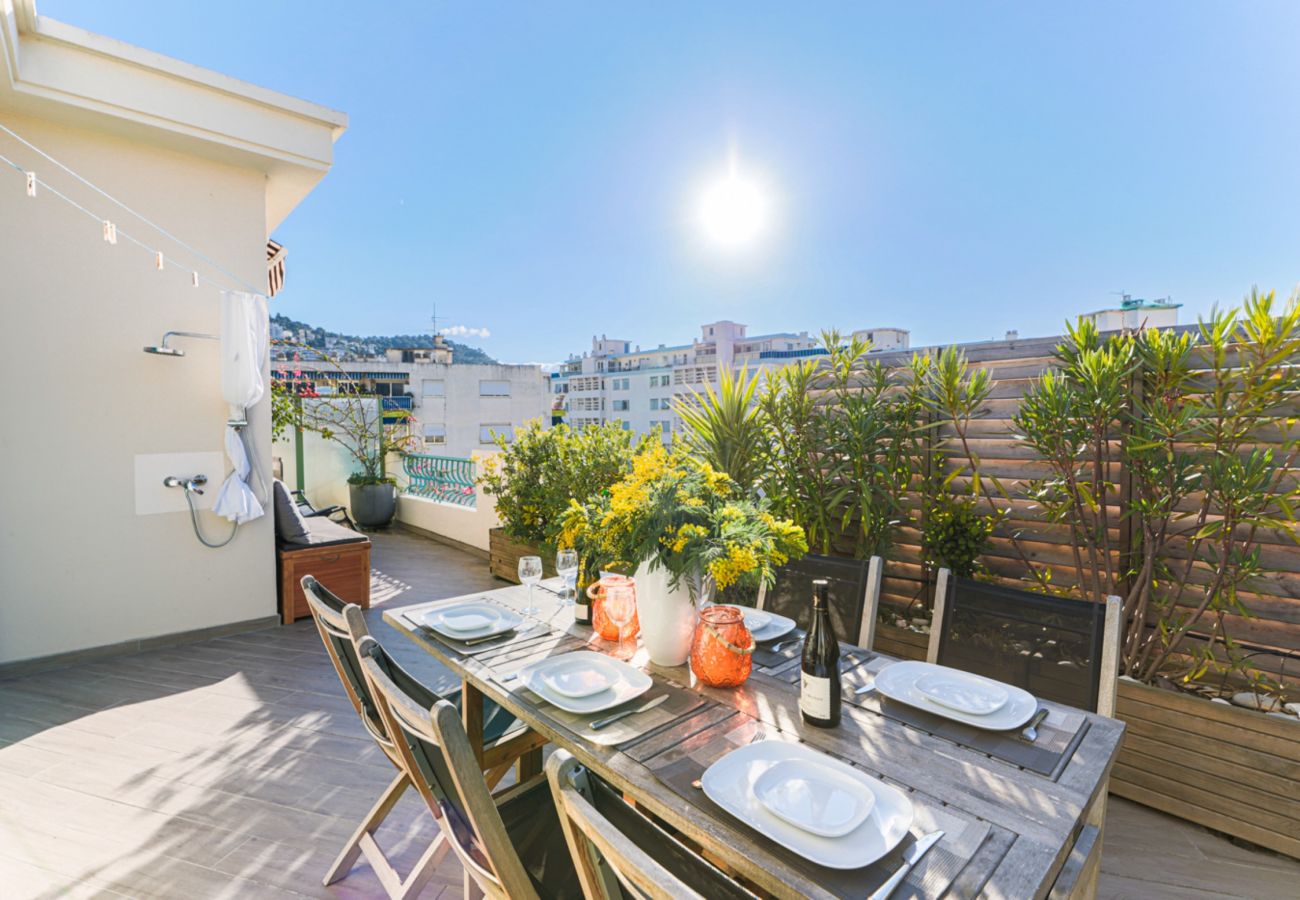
(343, 626)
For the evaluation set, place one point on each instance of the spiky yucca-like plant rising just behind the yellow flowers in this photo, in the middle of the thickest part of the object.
(727, 430)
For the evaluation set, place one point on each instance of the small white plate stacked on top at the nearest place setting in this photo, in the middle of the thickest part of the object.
(816, 797)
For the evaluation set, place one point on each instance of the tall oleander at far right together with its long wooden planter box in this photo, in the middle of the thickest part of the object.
(1189, 442)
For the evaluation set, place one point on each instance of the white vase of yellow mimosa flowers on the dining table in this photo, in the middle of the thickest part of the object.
(686, 530)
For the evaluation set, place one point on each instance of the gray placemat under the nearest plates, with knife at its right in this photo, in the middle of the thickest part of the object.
(933, 876)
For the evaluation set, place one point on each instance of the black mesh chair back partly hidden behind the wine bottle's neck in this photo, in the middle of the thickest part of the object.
(855, 594)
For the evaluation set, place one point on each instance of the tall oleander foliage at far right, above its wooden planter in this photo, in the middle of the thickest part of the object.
(1186, 418)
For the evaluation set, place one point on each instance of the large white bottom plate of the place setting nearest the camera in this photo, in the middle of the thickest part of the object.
(731, 784)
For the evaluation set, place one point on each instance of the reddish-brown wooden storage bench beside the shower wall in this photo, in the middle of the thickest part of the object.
(337, 557)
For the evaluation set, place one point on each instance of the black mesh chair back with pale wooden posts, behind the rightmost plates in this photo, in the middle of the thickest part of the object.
(1056, 648)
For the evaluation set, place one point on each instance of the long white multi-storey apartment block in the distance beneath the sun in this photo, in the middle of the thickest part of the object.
(618, 383)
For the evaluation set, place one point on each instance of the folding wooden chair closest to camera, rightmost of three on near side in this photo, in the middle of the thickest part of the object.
(619, 853)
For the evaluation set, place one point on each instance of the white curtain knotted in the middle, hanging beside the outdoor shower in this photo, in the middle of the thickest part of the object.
(245, 334)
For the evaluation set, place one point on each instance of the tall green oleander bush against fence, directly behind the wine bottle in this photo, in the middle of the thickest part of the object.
(844, 445)
